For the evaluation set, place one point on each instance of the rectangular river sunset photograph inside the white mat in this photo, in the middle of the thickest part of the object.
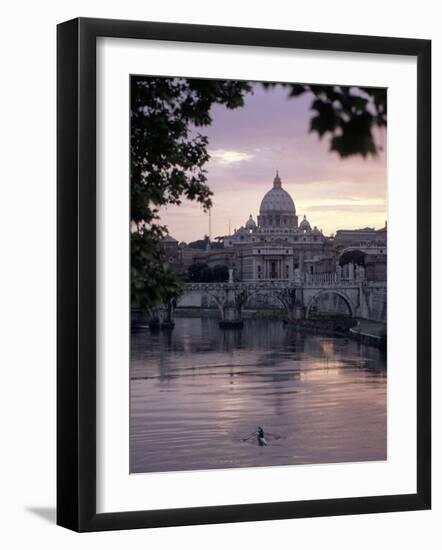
(258, 274)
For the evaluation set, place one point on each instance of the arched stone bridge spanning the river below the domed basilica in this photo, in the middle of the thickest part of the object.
(362, 299)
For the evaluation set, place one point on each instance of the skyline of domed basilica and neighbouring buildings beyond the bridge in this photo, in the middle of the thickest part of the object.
(276, 247)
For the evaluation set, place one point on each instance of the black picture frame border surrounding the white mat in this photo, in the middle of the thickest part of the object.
(76, 274)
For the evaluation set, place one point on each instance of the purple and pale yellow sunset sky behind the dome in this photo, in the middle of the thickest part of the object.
(248, 144)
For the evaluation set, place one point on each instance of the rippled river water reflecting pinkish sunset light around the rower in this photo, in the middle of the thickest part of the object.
(197, 390)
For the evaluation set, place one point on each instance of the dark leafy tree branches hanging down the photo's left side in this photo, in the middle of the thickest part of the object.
(167, 164)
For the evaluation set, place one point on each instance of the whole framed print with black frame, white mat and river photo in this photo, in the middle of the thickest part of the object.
(243, 274)
